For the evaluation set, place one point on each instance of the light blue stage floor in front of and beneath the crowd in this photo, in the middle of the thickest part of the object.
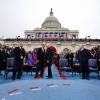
(57, 88)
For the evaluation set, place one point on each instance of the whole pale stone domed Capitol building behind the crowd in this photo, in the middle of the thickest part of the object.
(52, 33)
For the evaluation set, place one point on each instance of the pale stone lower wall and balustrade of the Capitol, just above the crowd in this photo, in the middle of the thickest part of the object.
(72, 45)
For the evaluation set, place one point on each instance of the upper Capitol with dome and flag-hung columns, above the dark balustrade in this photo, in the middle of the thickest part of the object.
(51, 30)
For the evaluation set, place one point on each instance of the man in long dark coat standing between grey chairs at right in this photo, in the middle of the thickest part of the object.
(83, 56)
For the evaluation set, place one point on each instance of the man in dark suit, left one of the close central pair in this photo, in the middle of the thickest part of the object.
(40, 60)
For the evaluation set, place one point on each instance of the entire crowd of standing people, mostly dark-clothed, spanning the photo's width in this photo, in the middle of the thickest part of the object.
(44, 57)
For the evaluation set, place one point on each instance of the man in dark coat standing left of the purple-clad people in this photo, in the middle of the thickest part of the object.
(19, 54)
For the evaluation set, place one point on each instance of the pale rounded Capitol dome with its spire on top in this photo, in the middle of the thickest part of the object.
(51, 22)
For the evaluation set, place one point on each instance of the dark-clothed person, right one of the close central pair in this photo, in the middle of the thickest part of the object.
(49, 60)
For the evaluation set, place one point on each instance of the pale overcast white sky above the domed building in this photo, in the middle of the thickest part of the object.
(16, 16)
